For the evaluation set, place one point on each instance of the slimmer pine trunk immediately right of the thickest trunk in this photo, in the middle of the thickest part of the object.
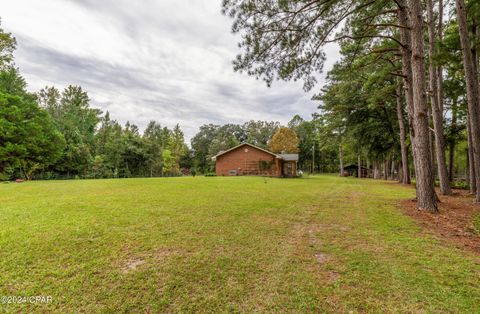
(437, 114)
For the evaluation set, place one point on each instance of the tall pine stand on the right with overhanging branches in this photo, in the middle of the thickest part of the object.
(406, 89)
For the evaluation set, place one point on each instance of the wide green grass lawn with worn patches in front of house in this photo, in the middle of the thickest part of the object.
(241, 244)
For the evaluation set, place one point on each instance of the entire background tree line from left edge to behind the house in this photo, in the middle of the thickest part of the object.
(54, 134)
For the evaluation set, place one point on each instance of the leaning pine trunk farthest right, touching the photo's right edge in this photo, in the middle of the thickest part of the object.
(471, 78)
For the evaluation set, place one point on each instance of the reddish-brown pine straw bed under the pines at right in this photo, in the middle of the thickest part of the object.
(454, 223)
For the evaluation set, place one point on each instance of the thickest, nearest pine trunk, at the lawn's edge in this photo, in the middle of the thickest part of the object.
(426, 197)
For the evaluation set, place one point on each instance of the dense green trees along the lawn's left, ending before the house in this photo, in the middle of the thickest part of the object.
(56, 134)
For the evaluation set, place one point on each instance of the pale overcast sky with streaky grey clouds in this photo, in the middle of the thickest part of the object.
(163, 60)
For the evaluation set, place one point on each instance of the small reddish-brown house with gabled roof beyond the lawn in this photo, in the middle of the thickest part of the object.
(248, 159)
